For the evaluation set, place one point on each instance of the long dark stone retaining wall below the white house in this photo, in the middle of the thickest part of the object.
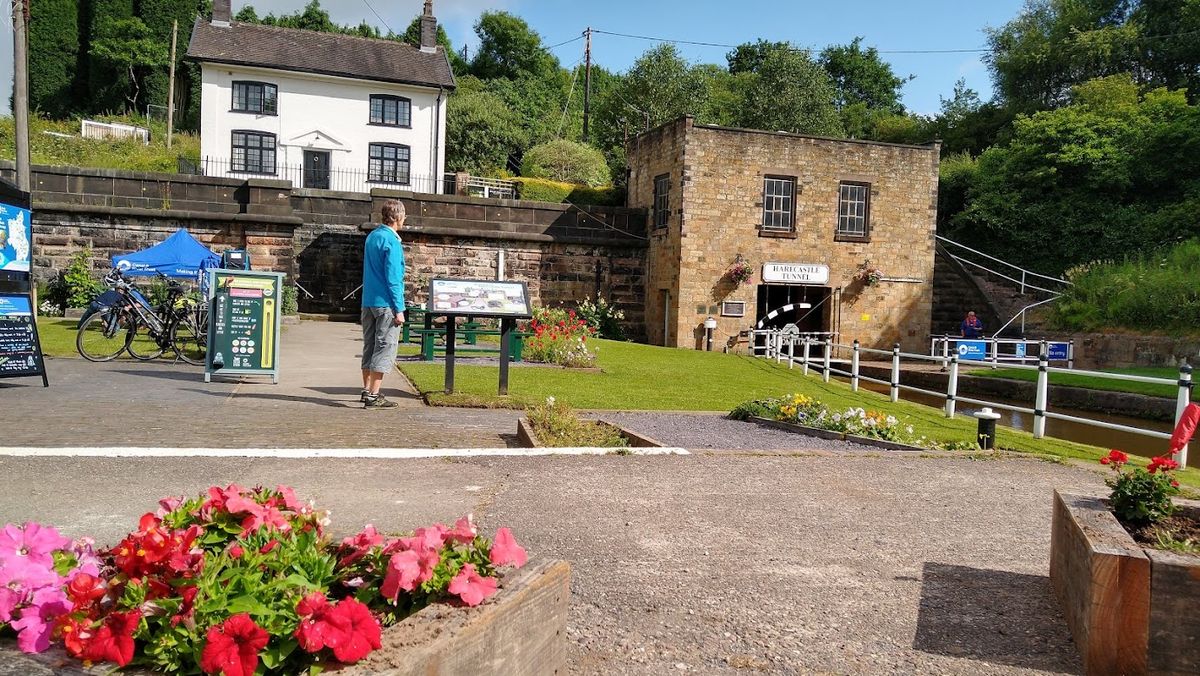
(565, 254)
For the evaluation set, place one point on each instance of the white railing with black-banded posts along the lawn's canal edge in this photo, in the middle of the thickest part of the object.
(776, 342)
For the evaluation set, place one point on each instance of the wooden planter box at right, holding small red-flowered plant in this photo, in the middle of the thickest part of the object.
(1131, 611)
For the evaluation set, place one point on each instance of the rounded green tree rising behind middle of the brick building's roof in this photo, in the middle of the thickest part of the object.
(790, 93)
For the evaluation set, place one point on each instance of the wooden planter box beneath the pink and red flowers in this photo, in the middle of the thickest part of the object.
(520, 632)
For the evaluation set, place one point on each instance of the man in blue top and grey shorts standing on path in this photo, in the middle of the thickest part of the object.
(383, 303)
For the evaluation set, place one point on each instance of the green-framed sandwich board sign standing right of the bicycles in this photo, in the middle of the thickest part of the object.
(244, 324)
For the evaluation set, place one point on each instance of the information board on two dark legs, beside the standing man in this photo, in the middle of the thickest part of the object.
(478, 300)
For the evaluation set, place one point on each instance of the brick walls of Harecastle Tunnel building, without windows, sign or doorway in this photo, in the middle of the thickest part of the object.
(723, 196)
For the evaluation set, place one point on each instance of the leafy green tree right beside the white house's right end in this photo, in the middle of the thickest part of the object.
(482, 131)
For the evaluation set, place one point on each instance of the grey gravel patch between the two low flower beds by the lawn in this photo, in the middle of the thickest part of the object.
(718, 433)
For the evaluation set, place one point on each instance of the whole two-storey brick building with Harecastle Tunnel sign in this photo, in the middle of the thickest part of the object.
(806, 213)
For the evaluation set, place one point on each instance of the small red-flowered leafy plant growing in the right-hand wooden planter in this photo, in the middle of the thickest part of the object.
(1142, 498)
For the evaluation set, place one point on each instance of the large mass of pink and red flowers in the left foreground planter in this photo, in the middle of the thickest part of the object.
(236, 582)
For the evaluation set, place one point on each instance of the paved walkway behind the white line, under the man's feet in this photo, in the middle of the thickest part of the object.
(159, 404)
